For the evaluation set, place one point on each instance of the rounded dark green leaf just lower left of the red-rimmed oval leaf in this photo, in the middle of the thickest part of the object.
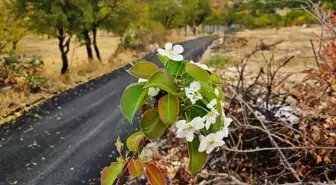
(151, 125)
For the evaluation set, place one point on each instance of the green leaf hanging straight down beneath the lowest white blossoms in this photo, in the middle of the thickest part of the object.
(196, 159)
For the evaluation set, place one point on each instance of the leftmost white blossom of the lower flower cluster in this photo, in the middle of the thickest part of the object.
(187, 130)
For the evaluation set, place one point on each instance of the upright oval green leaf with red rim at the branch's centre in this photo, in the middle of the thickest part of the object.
(169, 109)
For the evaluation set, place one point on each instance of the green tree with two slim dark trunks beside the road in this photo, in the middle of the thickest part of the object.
(111, 15)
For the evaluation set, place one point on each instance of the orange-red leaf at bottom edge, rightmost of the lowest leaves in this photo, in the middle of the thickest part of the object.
(154, 175)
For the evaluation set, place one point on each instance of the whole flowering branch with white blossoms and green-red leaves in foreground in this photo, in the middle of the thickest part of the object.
(183, 95)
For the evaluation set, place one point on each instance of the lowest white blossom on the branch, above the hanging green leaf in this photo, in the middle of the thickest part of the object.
(210, 142)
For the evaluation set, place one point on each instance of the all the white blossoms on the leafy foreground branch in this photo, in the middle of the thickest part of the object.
(198, 126)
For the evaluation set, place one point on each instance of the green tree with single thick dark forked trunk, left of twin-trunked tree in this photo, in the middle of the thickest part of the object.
(54, 18)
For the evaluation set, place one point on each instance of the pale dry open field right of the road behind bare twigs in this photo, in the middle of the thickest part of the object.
(294, 41)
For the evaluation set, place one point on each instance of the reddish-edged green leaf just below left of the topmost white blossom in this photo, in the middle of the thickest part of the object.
(143, 70)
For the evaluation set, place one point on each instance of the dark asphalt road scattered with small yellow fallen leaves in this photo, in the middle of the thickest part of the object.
(70, 138)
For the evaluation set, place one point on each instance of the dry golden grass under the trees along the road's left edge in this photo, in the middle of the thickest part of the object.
(13, 102)
